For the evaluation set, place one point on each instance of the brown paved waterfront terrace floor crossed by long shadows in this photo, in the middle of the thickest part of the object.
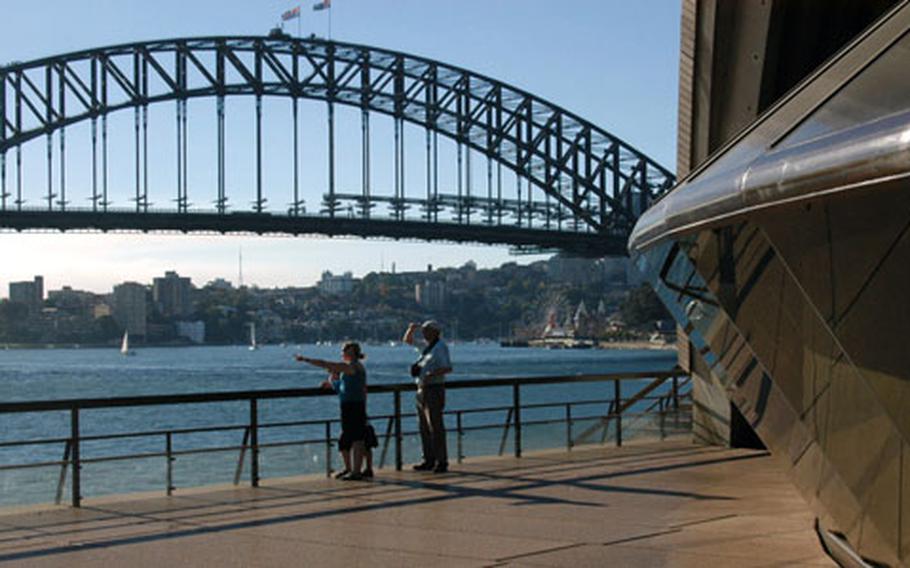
(644, 505)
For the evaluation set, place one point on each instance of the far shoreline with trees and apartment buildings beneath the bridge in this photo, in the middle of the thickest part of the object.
(172, 310)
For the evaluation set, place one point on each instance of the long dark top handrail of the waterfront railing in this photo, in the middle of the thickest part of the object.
(228, 396)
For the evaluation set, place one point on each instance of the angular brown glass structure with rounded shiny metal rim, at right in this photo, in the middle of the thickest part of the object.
(784, 258)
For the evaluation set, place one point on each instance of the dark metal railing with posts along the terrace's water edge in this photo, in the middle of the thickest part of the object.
(644, 400)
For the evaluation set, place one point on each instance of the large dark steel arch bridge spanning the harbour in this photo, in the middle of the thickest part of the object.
(576, 187)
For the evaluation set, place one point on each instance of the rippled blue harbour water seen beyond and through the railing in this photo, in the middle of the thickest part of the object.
(89, 373)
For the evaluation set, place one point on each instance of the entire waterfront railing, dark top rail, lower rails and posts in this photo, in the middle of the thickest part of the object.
(73, 461)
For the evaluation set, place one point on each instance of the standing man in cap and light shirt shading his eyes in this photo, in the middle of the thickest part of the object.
(429, 371)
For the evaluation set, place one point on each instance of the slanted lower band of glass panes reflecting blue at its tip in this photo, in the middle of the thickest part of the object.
(762, 337)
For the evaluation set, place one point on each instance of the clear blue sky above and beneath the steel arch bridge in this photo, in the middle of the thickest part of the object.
(612, 62)
